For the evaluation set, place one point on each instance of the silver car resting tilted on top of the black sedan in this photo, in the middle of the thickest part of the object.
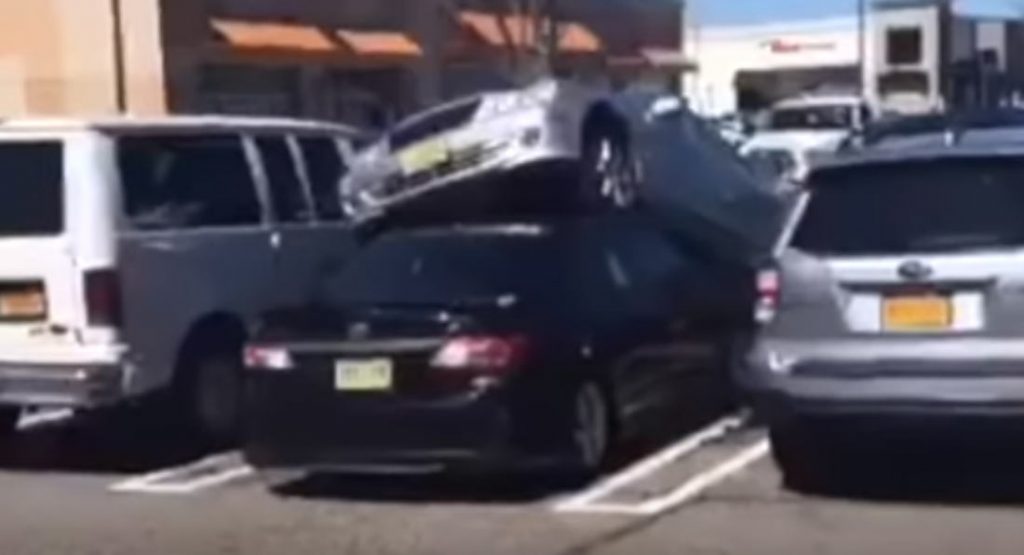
(560, 145)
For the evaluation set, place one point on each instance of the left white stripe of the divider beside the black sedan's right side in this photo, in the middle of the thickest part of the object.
(650, 465)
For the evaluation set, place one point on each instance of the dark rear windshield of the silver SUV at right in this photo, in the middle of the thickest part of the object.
(930, 206)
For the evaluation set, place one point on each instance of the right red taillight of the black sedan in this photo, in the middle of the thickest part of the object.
(483, 354)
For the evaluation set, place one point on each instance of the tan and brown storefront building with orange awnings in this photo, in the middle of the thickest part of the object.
(363, 63)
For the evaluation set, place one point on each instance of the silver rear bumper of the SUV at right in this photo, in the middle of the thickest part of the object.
(870, 378)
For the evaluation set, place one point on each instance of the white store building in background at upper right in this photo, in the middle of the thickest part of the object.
(905, 57)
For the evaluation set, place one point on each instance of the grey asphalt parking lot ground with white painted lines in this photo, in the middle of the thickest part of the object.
(93, 487)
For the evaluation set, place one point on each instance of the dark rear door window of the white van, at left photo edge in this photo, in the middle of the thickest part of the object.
(33, 195)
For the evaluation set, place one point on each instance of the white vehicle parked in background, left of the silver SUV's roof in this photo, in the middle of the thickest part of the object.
(799, 130)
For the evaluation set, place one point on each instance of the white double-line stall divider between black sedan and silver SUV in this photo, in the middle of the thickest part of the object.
(600, 499)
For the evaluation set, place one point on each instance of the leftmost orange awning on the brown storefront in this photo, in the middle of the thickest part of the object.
(274, 36)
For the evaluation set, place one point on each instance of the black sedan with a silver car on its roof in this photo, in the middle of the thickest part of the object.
(534, 346)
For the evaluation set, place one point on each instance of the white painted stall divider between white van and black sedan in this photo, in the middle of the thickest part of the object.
(214, 472)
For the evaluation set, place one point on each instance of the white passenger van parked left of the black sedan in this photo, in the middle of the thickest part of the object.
(135, 252)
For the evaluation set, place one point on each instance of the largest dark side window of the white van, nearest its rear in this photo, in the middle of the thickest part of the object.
(183, 182)
